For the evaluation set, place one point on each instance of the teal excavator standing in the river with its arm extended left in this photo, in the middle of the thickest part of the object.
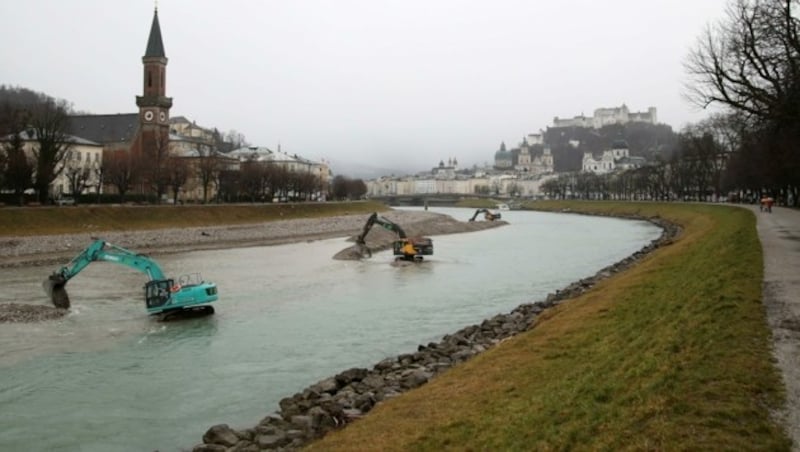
(189, 295)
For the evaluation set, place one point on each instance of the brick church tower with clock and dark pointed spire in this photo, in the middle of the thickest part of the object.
(154, 104)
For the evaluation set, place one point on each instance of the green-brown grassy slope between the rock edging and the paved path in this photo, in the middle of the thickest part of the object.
(673, 354)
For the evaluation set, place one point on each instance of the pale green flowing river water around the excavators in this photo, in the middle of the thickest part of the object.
(107, 377)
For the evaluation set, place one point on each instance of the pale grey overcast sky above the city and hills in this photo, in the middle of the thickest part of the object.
(379, 83)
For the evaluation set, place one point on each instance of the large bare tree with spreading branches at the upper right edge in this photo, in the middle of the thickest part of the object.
(748, 66)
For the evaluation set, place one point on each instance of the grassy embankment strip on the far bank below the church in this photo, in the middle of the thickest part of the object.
(63, 220)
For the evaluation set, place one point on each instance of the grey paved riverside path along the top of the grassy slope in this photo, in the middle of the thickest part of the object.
(779, 233)
